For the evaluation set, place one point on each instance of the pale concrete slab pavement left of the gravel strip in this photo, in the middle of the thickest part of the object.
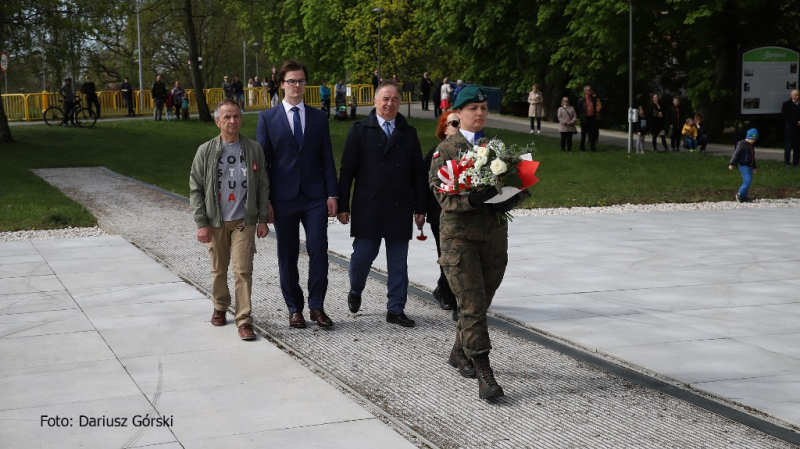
(95, 335)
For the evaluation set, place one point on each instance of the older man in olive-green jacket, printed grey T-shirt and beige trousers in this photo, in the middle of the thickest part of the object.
(229, 194)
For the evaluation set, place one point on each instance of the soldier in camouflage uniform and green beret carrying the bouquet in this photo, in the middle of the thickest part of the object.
(474, 247)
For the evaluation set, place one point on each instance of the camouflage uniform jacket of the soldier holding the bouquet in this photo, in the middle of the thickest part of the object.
(459, 218)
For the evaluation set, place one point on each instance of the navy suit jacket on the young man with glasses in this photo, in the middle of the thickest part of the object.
(290, 167)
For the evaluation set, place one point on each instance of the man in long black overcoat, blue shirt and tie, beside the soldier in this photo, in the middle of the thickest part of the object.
(382, 155)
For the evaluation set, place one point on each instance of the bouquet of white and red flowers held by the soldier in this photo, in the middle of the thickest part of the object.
(490, 163)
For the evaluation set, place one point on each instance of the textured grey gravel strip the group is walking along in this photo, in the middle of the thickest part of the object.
(553, 400)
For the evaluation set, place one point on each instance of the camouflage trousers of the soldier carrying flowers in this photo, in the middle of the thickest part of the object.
(474, 270)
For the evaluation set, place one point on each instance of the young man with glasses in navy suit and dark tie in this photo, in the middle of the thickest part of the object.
(297, 149)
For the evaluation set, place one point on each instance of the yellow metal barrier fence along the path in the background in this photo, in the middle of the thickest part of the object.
(28, 107)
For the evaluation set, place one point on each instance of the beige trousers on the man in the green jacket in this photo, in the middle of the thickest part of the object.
(237, 242)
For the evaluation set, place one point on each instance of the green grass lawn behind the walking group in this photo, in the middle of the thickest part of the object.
(160, 153)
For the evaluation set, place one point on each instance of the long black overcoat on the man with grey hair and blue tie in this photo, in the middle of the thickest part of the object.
(389, 179)
